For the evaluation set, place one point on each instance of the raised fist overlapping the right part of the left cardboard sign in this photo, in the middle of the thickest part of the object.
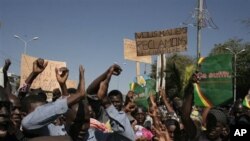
(62, 75)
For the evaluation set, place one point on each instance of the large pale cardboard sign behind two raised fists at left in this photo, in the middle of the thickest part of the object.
(47, 79)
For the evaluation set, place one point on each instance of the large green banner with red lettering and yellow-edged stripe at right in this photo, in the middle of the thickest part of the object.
(215, 86)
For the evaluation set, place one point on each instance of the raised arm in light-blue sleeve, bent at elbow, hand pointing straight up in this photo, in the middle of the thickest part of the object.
(38, 119)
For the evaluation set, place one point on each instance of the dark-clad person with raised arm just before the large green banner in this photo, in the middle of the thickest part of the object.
(216, 120)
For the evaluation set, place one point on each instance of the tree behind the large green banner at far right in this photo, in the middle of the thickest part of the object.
(242, 63)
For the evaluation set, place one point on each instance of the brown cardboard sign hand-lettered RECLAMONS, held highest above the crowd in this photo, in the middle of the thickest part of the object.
(160, 42)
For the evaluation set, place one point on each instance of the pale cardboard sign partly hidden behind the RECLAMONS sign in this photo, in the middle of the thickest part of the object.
(130, 52)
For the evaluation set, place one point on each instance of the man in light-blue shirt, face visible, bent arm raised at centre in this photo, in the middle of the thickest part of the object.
(120, 124)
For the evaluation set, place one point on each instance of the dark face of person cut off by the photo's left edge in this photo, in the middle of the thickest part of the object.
(4, 117)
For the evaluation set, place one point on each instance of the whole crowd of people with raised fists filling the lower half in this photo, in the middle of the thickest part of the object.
(95, 113)
